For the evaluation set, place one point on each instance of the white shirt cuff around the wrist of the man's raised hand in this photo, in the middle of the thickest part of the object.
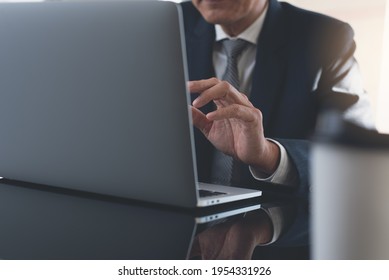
(285, 174)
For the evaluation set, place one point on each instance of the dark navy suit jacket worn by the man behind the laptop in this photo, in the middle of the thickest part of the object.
(304, 61)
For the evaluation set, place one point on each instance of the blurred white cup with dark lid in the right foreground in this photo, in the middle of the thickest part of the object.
(350, 194)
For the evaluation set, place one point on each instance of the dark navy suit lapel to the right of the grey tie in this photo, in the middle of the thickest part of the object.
(270, 66)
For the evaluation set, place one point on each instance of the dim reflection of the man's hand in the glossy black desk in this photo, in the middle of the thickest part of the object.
(235, 239)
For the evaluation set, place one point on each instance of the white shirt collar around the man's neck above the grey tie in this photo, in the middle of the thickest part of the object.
(251, 33)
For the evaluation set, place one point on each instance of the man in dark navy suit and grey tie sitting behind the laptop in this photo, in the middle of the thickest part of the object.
(295, 62)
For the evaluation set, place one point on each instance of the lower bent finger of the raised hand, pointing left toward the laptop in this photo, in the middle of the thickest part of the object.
(235, 112)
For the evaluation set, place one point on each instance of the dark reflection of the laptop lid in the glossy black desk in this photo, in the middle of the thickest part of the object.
(38, 222)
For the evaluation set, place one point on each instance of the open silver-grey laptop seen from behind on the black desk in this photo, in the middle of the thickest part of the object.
(94, 98)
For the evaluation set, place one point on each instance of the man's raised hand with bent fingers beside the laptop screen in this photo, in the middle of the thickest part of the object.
(235, 127)
